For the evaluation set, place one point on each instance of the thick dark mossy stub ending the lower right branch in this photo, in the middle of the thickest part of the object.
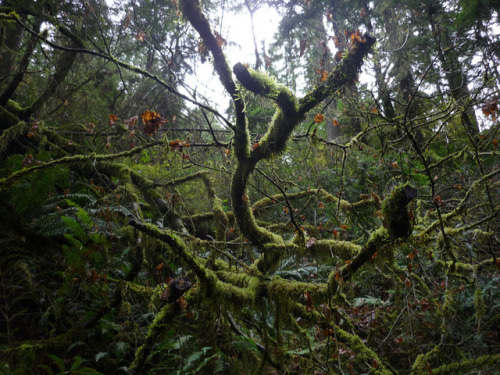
(395, 211)
